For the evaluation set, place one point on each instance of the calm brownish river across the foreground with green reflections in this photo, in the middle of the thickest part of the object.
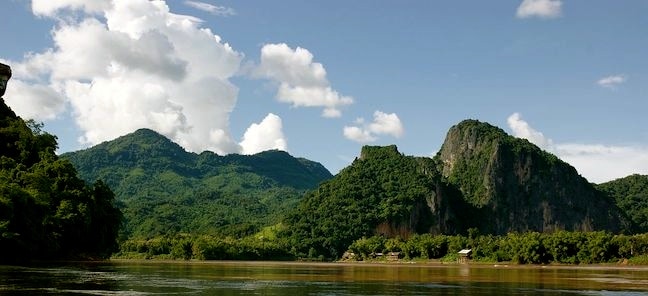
(321, 279)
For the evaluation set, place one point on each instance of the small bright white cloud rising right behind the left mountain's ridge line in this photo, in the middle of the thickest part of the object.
(266, 135)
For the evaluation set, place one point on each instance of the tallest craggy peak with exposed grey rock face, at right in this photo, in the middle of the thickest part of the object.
(515, 186)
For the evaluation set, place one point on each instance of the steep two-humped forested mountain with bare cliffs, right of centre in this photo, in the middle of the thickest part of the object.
(481, 178)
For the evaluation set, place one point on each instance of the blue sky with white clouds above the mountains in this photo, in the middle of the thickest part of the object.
(322, 78)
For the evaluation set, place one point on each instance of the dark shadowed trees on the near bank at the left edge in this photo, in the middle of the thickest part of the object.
(46, 211)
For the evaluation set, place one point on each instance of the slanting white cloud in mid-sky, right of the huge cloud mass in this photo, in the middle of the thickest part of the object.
(302, 82)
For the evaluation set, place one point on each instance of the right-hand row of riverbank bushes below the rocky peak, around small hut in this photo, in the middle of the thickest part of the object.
(561, 247)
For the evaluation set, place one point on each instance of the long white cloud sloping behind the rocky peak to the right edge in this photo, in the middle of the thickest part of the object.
(596, 162)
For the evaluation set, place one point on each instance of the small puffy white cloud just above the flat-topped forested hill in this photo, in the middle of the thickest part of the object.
(382, 124)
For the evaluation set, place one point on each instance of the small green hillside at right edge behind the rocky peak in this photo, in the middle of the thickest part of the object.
(631, 195)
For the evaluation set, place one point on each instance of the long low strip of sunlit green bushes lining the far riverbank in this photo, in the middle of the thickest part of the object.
(560, 247)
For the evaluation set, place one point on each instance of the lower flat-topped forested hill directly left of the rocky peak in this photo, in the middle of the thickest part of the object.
(382, 187)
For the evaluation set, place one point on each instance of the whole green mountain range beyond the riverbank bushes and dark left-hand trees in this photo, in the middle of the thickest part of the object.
(481, 179)
